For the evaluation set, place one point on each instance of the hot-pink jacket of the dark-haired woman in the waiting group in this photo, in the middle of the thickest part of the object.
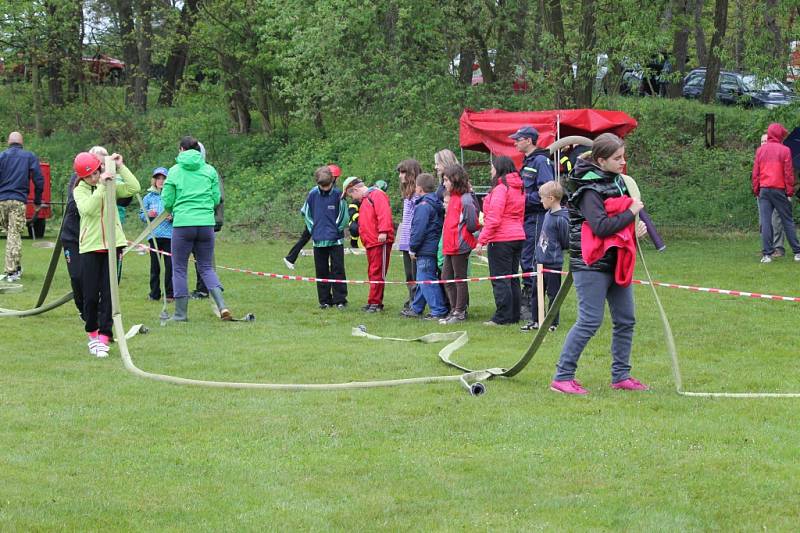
(503, 212)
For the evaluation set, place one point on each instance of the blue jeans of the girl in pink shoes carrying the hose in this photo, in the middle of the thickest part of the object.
(593, 289)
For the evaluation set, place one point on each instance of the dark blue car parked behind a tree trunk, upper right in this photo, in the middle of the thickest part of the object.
(744, 89)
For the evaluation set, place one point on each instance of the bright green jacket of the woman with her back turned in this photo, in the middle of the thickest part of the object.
(191, 191)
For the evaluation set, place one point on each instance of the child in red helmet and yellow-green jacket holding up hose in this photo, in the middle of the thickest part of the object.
(89, 194)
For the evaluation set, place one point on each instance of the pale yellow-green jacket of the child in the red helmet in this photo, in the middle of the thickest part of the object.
(91, 206)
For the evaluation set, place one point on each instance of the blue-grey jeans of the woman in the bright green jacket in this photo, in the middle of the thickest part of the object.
(200, 241)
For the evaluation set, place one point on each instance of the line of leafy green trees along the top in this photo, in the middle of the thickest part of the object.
(313, 59)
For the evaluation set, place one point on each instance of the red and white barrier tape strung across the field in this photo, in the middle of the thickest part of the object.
(286, 277)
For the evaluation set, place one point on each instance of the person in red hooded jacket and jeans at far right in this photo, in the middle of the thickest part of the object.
(773, 185)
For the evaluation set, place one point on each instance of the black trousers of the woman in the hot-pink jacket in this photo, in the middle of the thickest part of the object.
(504, 259)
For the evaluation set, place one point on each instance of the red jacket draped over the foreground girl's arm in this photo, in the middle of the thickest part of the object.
(593, 248)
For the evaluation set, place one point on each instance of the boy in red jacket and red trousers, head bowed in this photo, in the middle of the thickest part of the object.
(377, 233)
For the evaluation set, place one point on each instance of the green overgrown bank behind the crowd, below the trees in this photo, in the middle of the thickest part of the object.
(684, 184)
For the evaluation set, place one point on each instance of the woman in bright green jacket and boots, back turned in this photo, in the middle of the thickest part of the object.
(190, 194)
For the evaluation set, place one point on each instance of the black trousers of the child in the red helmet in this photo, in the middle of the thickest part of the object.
(97, 291)
